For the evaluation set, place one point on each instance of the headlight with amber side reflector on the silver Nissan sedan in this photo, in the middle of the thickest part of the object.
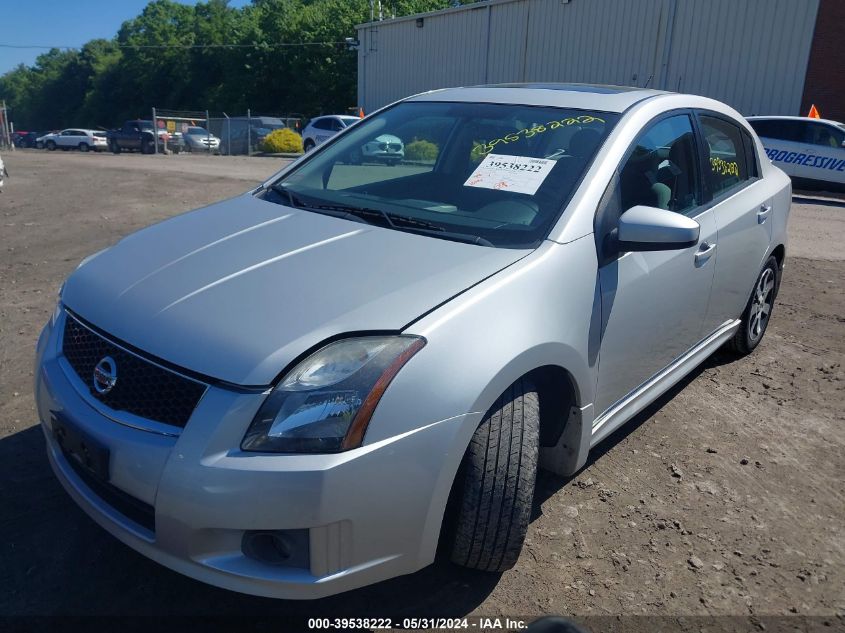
(324, 404)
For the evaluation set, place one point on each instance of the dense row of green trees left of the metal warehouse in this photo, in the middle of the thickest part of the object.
(273, 56)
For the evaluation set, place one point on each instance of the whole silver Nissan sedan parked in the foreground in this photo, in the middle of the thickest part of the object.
(282, 393)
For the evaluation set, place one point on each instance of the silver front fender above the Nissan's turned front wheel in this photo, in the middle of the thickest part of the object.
(543, 310)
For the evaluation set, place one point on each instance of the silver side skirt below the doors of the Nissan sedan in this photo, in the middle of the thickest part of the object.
(624, 409)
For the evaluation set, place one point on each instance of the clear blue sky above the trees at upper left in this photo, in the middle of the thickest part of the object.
(62, 23)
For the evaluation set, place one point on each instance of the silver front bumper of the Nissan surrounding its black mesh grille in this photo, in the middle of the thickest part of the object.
(370, 514)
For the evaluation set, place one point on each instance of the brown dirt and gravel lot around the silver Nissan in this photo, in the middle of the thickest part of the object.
(725, 498)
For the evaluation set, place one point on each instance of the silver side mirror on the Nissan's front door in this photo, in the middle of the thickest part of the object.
(644, 228)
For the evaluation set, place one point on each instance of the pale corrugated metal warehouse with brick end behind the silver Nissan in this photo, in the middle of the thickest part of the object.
(760, 56)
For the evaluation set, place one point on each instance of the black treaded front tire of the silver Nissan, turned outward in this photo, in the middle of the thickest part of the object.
(499, 473)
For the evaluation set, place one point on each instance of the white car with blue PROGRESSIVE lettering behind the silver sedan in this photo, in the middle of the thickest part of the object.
(811, 151)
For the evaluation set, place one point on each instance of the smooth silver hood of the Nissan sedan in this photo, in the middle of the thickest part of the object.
(239, 289)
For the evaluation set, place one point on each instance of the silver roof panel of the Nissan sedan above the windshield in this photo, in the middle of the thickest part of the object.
(568, 95)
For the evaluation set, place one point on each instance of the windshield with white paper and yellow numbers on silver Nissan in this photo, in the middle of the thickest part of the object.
(491, 174)
